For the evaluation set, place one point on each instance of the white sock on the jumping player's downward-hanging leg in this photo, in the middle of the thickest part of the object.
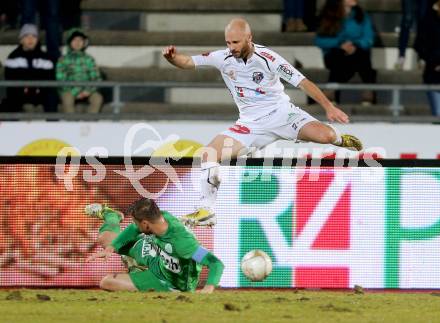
(209, 184)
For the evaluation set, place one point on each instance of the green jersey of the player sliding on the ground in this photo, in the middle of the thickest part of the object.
(168, 256)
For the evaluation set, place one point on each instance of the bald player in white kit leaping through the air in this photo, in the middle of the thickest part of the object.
(252, 74)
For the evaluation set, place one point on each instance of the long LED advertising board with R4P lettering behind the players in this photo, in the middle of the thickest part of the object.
(325, 224)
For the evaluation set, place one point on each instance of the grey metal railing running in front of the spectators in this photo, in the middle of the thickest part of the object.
(395, 106)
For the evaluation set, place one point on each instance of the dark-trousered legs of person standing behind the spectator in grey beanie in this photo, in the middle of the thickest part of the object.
(50, 18)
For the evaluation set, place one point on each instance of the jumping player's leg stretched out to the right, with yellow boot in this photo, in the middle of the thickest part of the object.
(321, 133)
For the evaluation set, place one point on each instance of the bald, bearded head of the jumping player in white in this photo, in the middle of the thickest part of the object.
(238, 37)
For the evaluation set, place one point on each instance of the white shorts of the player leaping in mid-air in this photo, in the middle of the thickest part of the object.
(283, 122)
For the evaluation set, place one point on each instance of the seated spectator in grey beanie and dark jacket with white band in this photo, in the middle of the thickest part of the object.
(28, 62)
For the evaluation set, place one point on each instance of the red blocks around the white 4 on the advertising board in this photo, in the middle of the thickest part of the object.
(333, 235)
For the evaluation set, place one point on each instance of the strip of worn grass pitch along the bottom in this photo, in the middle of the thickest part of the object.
(30, 305)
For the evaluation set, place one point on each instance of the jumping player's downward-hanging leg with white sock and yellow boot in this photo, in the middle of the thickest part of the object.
(222, 147)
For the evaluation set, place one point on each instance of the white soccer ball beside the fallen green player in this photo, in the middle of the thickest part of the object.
(256, 265)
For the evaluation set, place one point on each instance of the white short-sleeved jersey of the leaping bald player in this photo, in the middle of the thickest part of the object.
(255, 84)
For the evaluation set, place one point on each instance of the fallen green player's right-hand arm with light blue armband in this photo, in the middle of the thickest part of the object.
(214, 265)
